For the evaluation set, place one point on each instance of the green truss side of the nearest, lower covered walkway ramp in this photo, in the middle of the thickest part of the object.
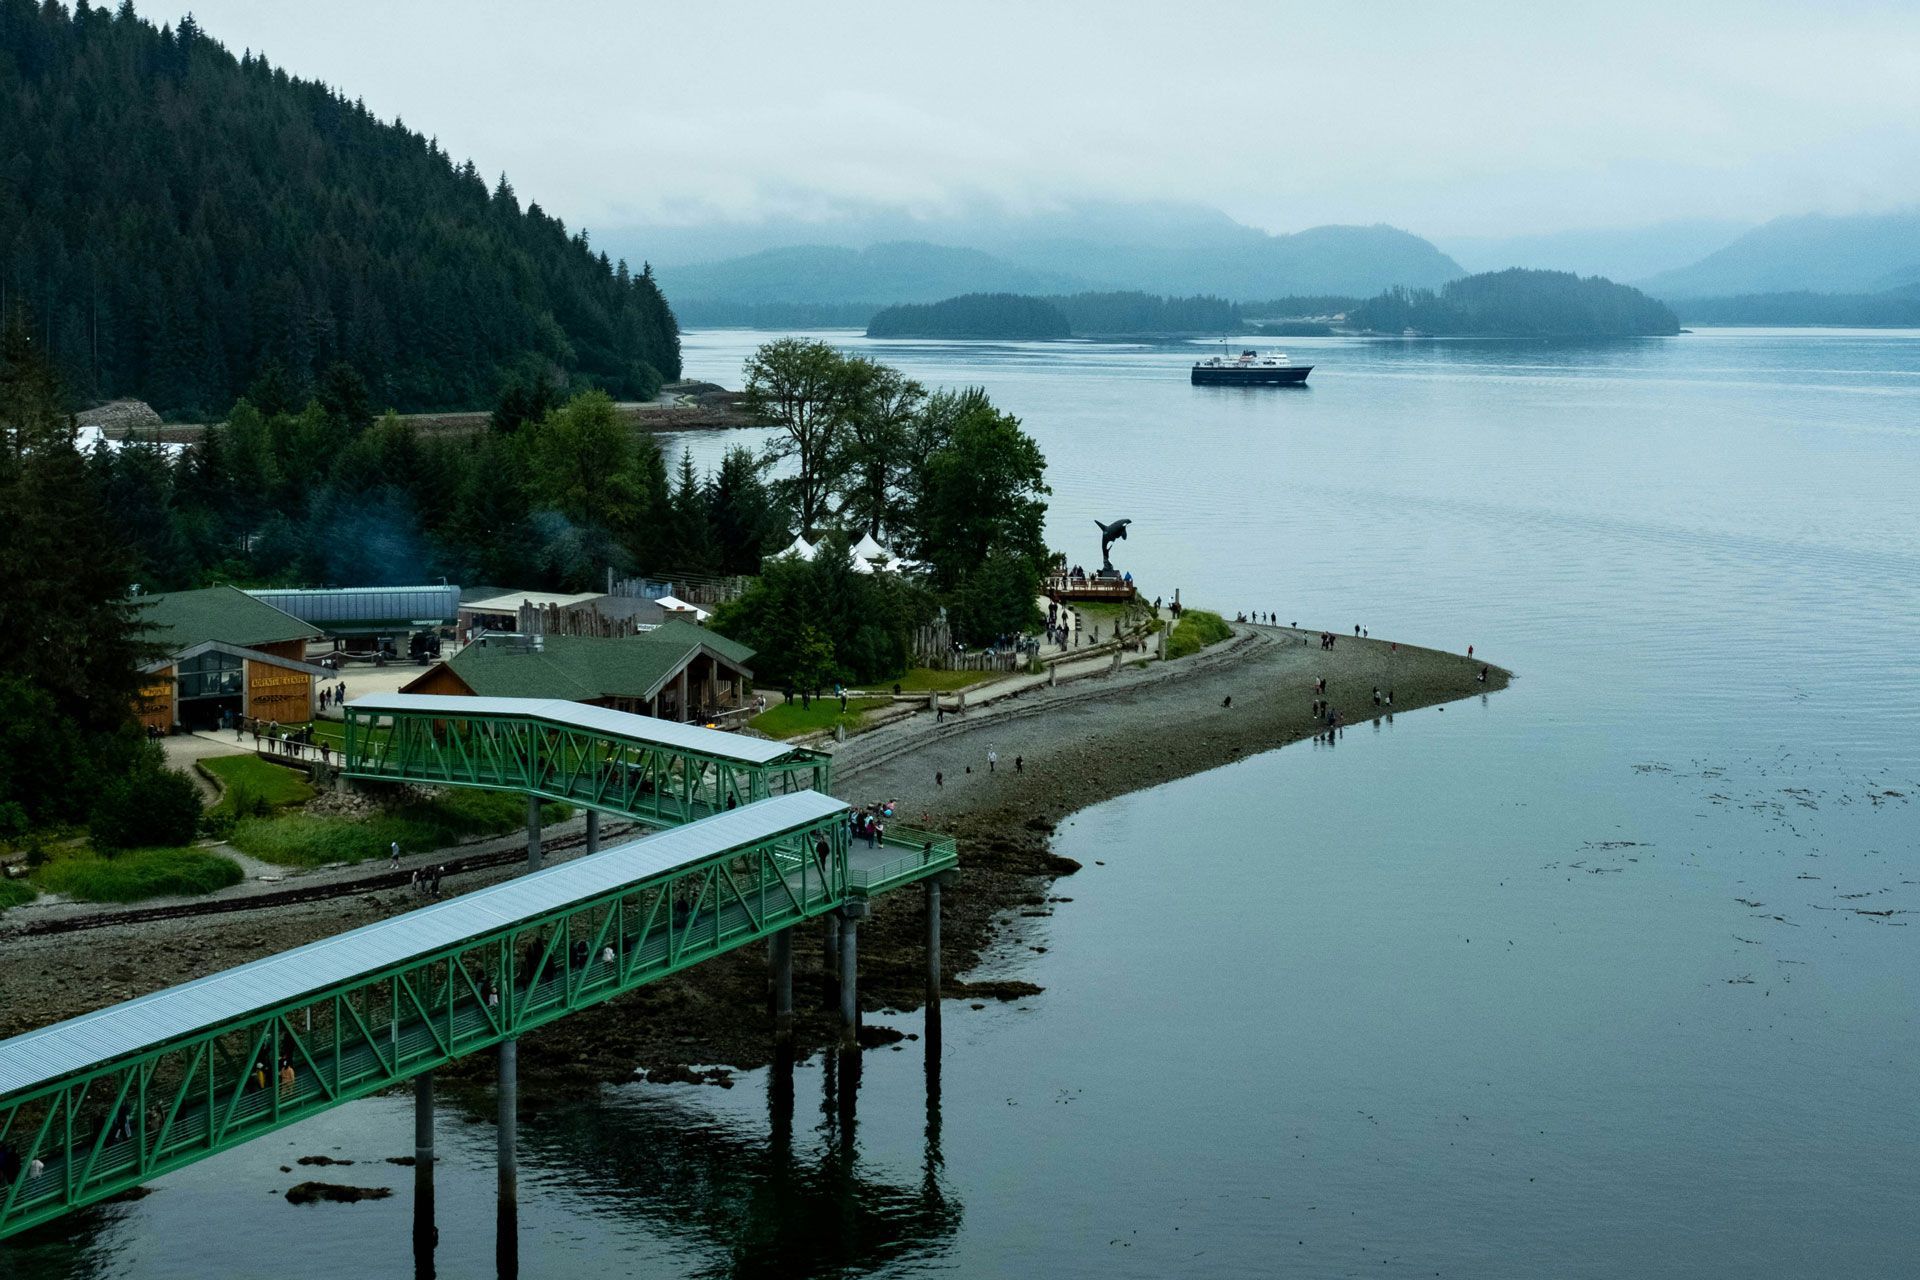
(91, 1135)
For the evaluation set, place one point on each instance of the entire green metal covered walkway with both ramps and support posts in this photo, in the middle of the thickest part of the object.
(114, 1099)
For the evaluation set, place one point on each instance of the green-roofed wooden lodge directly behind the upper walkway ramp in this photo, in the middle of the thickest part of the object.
(677, 671)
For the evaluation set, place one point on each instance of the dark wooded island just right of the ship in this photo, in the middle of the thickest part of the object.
(1518, 304)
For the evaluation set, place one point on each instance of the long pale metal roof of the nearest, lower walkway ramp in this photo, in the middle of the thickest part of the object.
(233, 995)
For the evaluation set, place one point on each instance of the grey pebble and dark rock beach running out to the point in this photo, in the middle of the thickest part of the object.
(1080, 744)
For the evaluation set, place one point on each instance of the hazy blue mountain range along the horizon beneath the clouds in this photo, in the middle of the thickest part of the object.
(1166, 249)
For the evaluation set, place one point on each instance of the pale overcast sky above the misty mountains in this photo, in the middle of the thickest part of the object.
(1439, 118)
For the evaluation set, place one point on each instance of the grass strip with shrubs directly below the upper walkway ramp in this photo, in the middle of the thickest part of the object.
(314, 840)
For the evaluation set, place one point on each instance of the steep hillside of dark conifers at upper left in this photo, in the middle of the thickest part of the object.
(178, 224)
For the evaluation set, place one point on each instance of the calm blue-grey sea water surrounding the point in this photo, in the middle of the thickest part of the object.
(1566, 984)
